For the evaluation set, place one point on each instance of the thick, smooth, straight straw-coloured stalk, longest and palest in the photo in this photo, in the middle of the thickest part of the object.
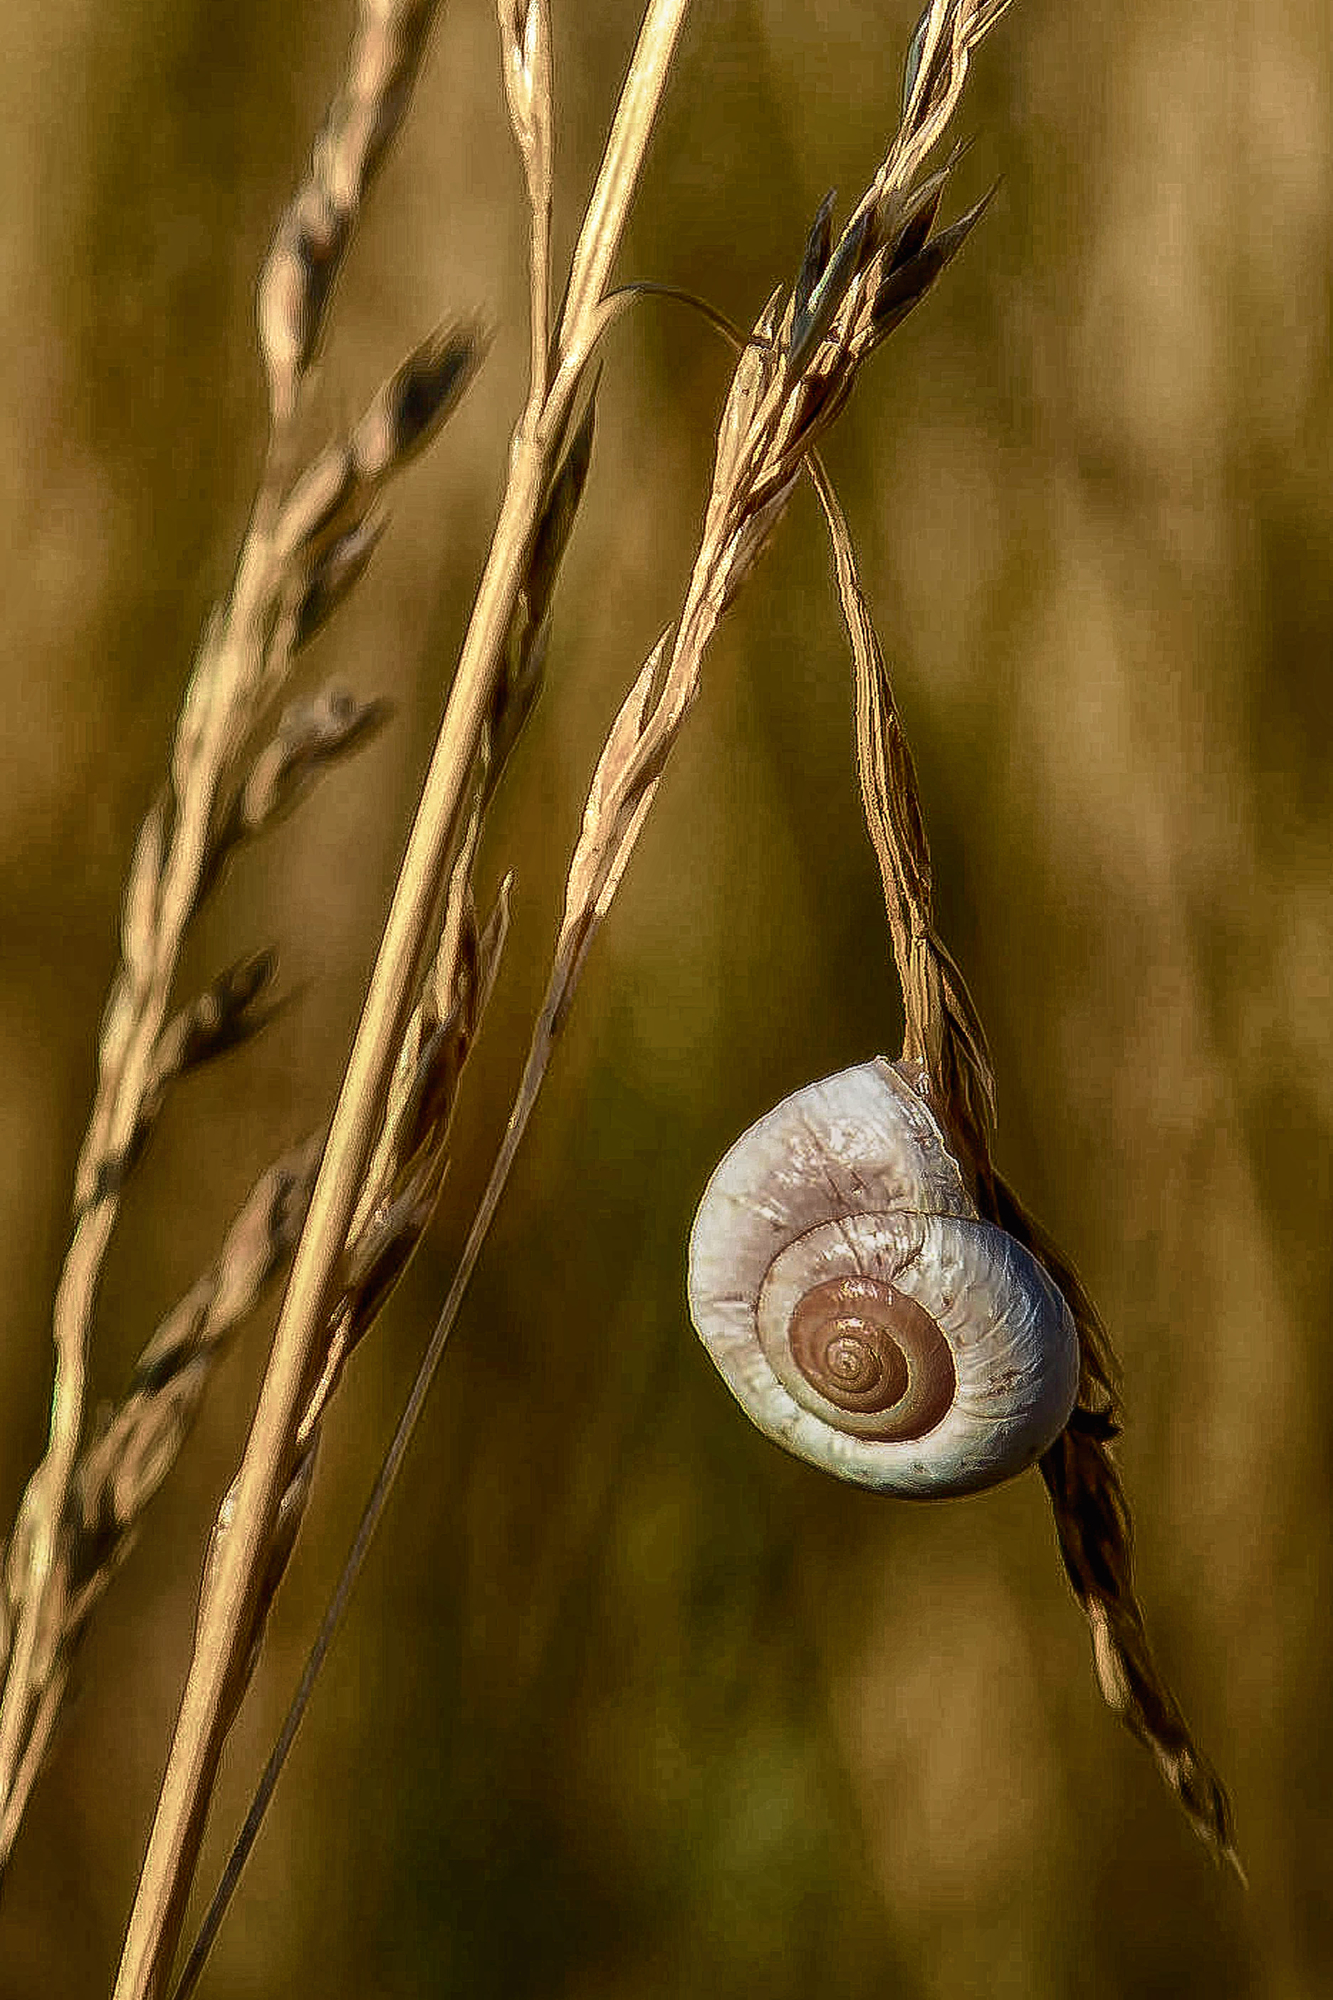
(229, 1605)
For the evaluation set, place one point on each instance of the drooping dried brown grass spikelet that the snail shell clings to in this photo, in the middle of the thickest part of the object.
(944, 1033)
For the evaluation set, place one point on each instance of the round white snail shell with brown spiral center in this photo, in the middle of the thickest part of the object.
(858, 1307)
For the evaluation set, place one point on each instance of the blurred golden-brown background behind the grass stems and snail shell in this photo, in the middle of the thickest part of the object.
(629, 1705)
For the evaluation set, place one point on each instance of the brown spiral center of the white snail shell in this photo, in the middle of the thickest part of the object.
(872, 1349)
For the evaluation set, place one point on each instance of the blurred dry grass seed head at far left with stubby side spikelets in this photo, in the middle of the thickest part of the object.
(309, 539)
